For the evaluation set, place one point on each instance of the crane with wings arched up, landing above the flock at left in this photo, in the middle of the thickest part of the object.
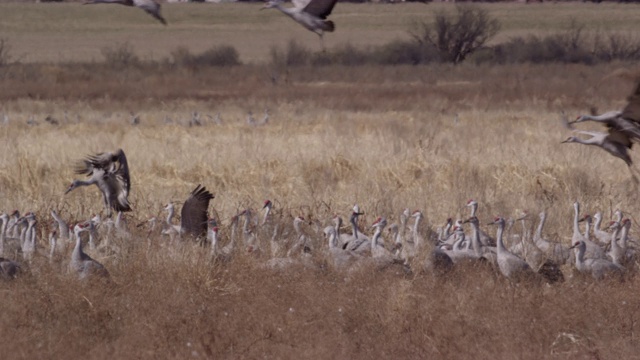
(110, 173)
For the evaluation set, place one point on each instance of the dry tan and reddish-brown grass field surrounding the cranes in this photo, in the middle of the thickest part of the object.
(386, 138)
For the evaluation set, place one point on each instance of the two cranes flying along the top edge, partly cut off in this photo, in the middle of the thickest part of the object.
(312, 14)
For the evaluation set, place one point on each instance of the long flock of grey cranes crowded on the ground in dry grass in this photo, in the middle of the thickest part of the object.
(312, 244)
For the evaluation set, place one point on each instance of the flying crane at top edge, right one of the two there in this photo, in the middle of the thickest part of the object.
(312, 14)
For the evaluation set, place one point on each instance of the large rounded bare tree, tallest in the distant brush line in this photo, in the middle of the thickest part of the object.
(455, 36)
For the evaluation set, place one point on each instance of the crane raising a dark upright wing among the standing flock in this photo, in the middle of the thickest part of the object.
(194, 216)
